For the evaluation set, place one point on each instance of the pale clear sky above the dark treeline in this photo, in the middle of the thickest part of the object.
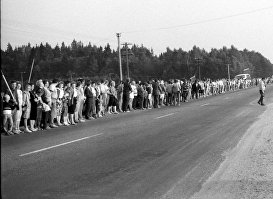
(156, 24)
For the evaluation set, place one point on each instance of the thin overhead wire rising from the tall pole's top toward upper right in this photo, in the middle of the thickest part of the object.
(202, 21)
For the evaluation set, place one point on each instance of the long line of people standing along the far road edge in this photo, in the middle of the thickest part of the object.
(50, 104)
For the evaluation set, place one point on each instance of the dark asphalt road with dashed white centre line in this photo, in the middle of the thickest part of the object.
(161, 153)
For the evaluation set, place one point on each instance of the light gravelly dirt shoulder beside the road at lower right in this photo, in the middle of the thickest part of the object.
(247, 172)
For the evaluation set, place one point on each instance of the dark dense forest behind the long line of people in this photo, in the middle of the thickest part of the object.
(96, 62)
